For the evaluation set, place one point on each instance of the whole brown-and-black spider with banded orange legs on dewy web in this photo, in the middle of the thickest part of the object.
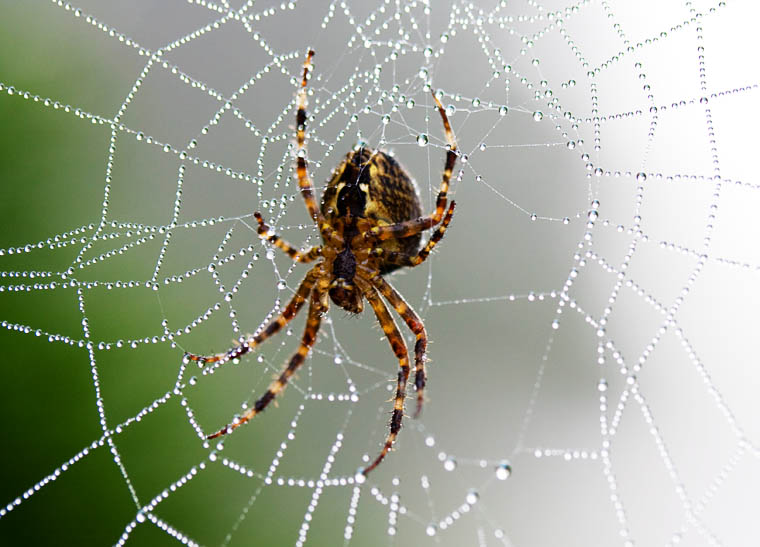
(370, 221)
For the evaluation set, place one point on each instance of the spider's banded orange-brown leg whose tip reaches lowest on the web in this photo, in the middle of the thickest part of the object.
(399, 348)
